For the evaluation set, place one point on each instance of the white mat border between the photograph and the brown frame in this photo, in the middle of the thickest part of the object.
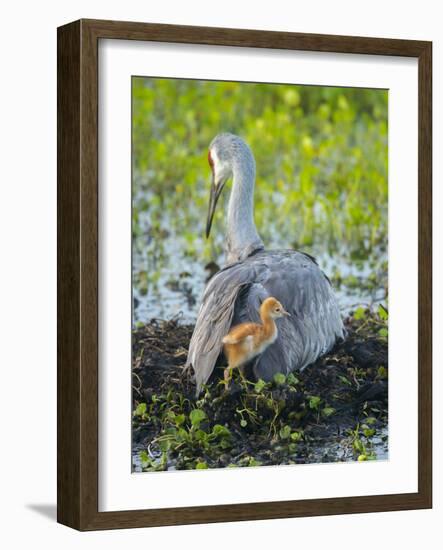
(119, 489)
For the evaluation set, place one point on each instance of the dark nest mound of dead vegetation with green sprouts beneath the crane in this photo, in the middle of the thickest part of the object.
(335, 410)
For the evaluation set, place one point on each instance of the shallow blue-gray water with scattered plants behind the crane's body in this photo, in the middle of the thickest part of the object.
(170, 254)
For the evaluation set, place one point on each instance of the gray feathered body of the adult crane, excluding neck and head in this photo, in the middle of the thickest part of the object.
(234, 296)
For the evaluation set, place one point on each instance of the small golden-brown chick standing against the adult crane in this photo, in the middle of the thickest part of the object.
(247, 340)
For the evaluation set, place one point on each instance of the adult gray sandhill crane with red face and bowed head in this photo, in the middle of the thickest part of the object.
(252, 274)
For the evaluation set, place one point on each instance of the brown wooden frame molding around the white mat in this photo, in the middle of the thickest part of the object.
(77, 455)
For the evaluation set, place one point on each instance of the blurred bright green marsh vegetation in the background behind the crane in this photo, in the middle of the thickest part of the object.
(322, 167)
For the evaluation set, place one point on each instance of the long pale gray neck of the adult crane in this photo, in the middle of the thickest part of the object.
(242, 238)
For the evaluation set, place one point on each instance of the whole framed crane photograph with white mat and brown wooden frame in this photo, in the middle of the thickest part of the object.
(244, 274)
